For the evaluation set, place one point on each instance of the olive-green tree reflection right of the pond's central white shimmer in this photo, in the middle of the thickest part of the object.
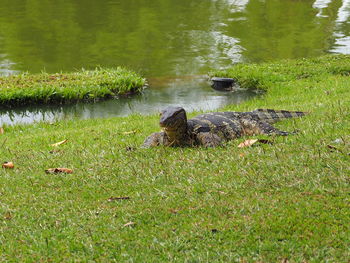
(284, 29)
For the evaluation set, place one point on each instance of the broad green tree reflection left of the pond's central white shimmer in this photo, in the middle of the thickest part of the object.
(56, 35)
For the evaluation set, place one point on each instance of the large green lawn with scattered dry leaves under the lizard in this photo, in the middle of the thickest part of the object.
(286, 202)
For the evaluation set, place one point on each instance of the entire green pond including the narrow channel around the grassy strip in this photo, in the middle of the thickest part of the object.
(172, 43)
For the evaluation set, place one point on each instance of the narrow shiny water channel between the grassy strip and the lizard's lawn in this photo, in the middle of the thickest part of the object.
(192, 93)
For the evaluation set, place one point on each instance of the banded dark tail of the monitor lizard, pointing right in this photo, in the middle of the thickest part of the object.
(271, 116)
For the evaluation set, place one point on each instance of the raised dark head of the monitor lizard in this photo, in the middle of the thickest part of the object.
(173, 118)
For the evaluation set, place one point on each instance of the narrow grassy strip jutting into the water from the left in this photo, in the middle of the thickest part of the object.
(84, 85)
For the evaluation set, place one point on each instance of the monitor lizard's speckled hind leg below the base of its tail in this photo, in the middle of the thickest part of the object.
(254, 127)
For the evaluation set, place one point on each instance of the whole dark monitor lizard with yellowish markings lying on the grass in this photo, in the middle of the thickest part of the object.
(211, 129)
